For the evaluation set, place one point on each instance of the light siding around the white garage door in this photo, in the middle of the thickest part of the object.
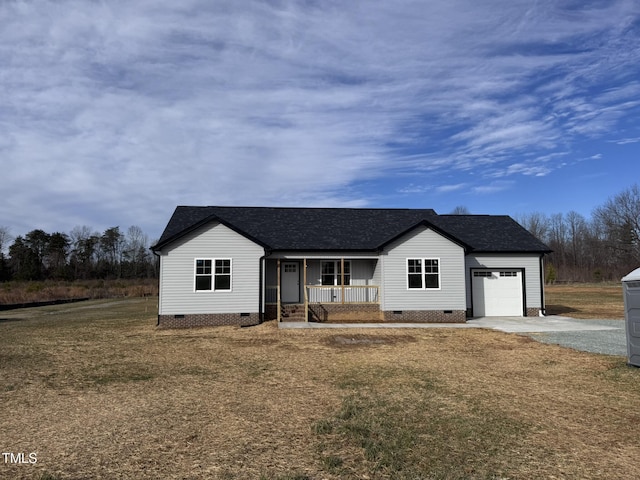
(529, 264)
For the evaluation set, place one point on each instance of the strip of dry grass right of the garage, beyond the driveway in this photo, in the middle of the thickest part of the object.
(586, 300)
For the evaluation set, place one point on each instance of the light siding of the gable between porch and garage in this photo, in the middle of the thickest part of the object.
(423, 243)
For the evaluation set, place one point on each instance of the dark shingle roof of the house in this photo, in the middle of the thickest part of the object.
(351, 229)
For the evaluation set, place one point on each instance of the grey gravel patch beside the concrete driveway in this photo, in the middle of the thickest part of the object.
(612, 341)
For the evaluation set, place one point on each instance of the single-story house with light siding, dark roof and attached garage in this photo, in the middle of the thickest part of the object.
(245, 265)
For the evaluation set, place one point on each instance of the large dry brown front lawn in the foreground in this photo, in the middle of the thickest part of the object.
(98, 392)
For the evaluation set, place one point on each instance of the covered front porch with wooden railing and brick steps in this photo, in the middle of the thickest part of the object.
(322, 290)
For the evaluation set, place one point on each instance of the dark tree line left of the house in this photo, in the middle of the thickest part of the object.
(82, 254)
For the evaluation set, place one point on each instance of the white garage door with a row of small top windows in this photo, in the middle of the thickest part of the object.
(497, 293)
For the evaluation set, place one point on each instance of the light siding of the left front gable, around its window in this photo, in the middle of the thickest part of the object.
(215, 241)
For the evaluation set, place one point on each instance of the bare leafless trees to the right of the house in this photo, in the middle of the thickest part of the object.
(603, 248)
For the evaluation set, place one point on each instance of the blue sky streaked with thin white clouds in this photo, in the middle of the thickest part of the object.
(114, 112)
